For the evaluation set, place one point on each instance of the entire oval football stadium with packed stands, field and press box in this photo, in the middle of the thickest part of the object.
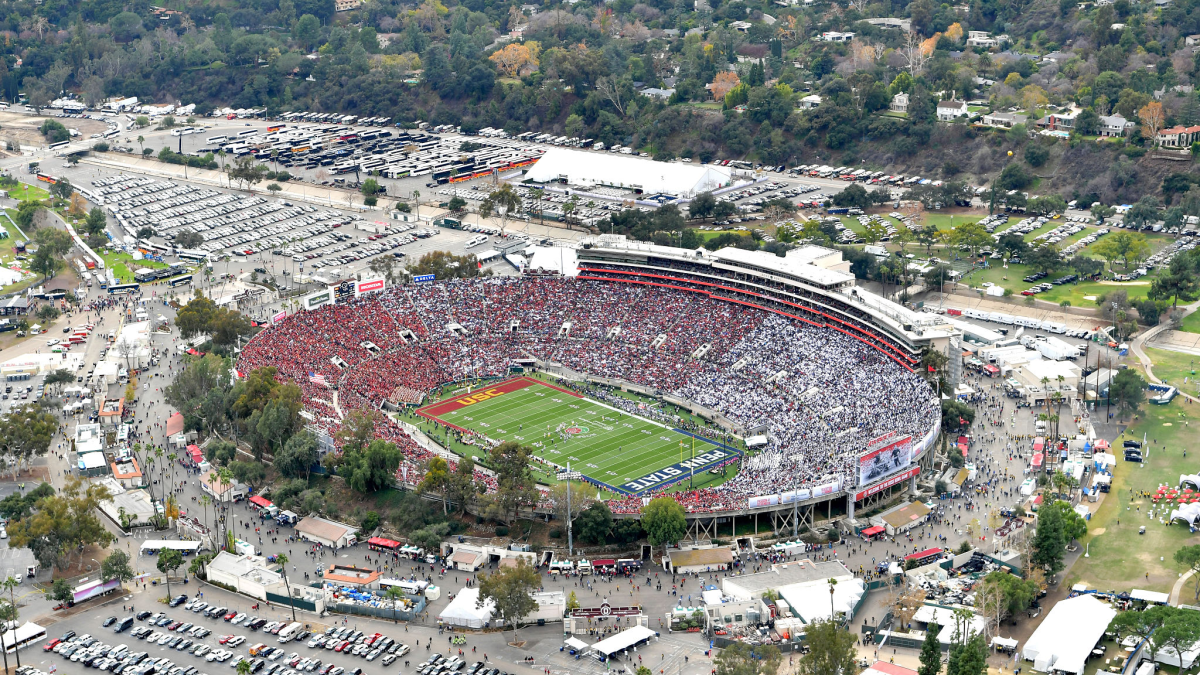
(787, 351)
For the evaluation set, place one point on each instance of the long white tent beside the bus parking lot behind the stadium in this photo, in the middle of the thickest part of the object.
(585, 169)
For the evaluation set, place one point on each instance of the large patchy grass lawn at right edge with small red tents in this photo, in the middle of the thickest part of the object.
(1120, 558)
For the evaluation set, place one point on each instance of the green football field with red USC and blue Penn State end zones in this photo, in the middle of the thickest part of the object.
(611, 449)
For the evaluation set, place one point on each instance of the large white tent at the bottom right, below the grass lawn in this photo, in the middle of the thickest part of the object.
(1069, 635)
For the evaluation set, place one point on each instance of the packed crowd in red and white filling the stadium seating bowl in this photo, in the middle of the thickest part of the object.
(819, 395)
